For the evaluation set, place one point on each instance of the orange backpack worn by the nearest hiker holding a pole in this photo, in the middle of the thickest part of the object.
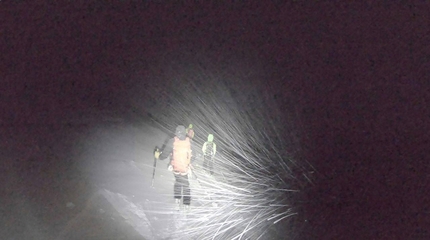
(181, 155)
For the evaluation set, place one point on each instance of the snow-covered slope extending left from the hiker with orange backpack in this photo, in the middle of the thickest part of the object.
(92, 180)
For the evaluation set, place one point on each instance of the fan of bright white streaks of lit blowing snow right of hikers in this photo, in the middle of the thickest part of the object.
(252, 184)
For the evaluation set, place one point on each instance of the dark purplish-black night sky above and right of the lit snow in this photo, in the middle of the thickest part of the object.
(356, 74)
